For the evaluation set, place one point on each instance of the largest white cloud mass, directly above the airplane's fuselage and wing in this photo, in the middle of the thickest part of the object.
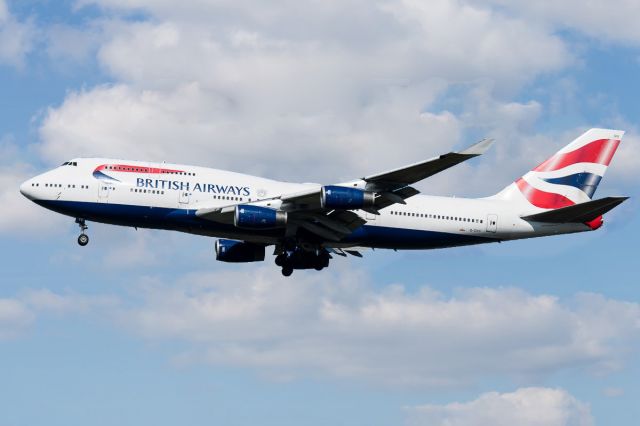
(316, 92)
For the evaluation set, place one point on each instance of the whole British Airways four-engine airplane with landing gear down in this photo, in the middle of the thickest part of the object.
(310, 223)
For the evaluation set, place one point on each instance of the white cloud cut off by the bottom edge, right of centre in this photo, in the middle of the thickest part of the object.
(524, 407)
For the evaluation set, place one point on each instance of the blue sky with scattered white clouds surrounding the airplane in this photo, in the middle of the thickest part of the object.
(145, 327)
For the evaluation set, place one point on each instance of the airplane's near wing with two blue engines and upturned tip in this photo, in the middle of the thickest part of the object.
(311, 211)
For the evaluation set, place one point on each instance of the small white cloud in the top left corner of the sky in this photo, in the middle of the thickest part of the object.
(16, 38)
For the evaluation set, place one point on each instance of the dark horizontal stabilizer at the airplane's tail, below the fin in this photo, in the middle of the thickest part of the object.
(578, 213)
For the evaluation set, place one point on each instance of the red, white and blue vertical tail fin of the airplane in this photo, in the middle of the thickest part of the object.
(570, 176)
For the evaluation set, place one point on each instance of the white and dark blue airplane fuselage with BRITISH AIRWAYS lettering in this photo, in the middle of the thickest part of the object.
(166, 196)
